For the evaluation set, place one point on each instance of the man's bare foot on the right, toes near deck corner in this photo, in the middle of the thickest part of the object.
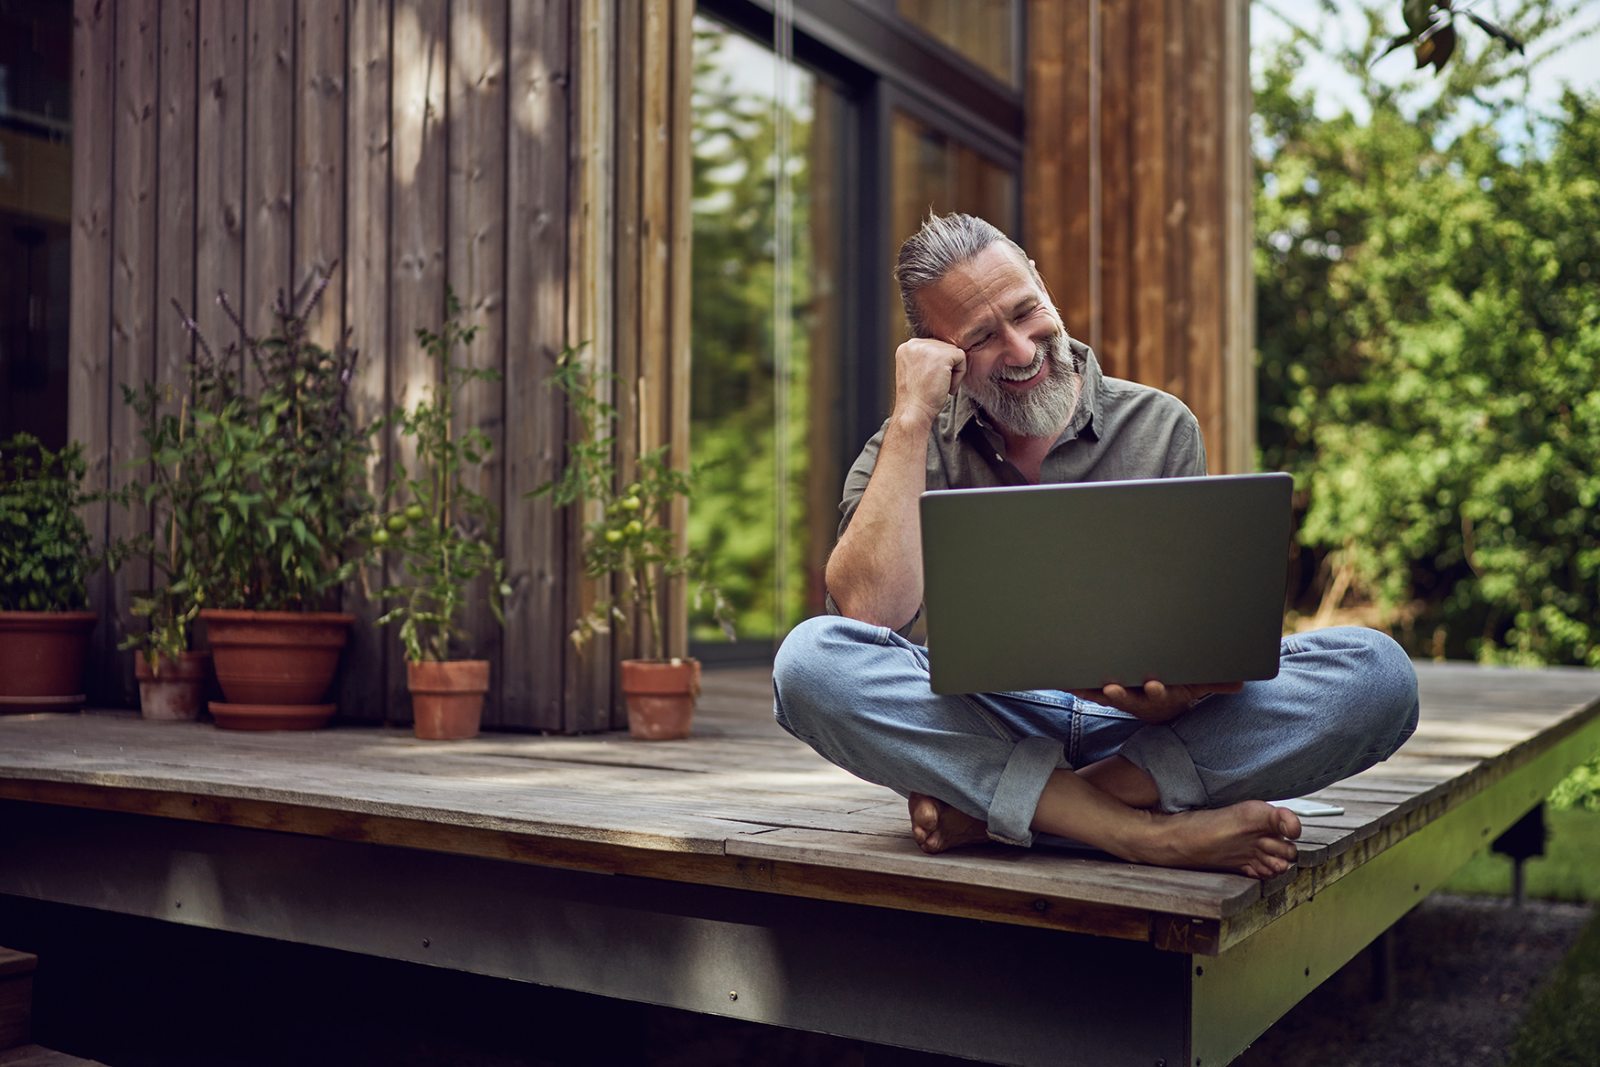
(1250, 839)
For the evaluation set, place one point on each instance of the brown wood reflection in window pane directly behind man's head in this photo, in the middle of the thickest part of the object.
(942, 175)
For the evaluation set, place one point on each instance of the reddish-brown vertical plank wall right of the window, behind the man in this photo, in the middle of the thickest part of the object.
(1138, 196)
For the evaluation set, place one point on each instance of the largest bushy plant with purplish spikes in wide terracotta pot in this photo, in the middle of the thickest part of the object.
(279, 494)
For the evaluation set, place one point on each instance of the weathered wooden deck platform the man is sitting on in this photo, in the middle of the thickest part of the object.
(742, 807)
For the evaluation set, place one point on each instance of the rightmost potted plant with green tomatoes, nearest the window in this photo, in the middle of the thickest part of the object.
(631, 545)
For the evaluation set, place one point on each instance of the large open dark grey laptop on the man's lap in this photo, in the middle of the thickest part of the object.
(1079, 586)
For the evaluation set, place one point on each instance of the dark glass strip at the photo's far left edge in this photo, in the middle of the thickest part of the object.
(36, 209)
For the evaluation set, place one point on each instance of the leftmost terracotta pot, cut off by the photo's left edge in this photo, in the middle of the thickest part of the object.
(42, 660)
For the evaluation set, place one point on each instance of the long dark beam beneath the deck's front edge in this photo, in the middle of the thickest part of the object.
(954, 986)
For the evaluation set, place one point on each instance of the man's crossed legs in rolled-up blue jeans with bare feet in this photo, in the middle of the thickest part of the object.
(1186, 794)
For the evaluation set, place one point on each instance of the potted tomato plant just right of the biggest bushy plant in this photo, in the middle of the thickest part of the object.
(446, 537)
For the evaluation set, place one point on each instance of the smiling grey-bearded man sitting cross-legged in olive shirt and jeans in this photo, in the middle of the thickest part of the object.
(991, 391)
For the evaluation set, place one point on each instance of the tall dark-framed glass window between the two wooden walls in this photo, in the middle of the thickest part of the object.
(794, 316)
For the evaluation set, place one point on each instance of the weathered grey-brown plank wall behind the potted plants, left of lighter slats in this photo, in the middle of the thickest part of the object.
(241, 146)
